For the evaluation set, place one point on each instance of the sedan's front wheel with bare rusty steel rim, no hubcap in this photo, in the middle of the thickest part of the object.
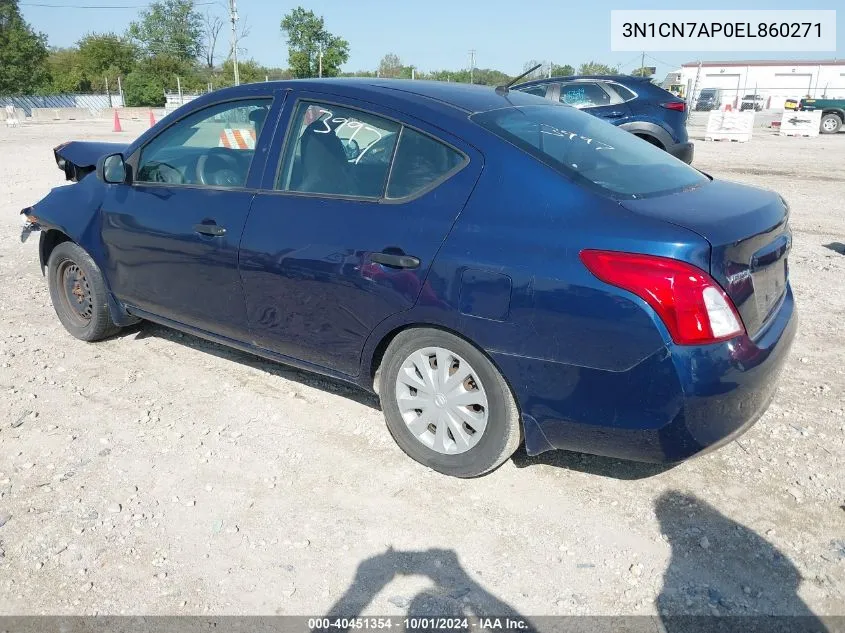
(79, 294)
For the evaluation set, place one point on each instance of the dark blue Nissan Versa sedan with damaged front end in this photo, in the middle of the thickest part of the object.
(500, 269)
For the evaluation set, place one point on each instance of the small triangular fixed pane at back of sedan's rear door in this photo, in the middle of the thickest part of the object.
(420, 161)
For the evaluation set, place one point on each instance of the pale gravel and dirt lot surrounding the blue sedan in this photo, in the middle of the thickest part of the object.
(156, 473)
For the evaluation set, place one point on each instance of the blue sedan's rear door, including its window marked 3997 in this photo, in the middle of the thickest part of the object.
(348, 226)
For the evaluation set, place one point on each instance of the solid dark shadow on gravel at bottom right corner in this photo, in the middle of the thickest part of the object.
(724, 577)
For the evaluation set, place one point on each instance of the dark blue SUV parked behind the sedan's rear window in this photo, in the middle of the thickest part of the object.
(634, 104)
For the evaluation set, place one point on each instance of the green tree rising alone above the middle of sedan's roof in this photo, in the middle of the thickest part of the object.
(307, 36)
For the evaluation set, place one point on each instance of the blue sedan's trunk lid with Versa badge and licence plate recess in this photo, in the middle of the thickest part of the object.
(749, 234)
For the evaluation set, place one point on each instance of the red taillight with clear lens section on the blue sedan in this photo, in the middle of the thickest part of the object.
(691, 304)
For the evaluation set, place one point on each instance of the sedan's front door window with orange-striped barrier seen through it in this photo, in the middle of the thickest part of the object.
(213, 146)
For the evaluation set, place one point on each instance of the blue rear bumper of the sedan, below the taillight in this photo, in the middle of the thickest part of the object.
(679, 402)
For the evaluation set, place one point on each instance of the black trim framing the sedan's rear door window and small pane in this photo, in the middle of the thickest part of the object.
(383, 199)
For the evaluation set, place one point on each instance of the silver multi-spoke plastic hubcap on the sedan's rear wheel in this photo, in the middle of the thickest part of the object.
(442, 400)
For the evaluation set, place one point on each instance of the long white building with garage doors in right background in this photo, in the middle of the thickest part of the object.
(776, 80)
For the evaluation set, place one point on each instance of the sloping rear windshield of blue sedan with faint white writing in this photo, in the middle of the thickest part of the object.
(590, 151)
